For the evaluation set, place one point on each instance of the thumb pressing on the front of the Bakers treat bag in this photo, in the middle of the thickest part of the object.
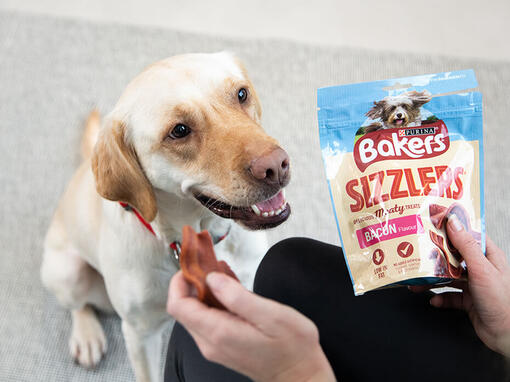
(467, 245)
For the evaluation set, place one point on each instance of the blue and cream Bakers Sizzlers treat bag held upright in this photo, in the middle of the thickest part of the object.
(401, 156)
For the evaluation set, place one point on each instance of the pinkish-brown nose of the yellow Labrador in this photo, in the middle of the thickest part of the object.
(272, 168)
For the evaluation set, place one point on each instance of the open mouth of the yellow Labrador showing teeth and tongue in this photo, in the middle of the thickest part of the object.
(268, 213)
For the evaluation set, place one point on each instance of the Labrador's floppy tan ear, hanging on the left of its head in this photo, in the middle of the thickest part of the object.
(118, 174)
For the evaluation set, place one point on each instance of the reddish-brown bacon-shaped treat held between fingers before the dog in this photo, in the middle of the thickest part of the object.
(197, 260)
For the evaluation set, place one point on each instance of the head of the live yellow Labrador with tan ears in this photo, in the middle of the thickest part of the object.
(190, 125)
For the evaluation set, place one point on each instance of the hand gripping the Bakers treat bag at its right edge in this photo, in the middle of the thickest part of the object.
(485, 295)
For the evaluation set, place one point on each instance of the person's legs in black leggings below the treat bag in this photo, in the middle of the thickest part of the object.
(387, 335)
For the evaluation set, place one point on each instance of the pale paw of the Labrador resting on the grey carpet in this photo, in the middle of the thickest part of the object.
(88, 342)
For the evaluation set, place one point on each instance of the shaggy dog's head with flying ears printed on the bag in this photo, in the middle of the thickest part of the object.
(401, 110)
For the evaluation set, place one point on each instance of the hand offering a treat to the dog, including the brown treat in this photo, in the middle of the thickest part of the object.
(258, 337)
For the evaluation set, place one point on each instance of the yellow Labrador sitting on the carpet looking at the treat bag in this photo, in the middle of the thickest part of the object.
(183, 146)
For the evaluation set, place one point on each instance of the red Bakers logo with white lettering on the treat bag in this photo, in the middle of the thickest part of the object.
(408, 143)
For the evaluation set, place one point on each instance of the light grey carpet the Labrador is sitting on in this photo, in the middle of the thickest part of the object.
(52, 72)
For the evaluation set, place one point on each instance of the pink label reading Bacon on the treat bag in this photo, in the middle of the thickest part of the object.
(390, 229)
